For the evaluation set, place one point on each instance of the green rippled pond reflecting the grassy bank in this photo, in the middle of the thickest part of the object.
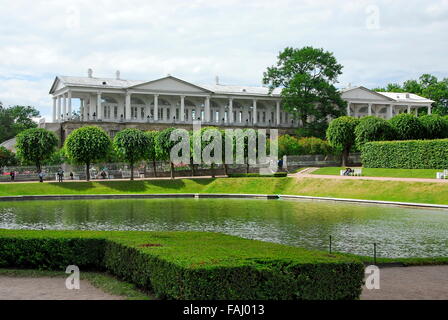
(398, 231)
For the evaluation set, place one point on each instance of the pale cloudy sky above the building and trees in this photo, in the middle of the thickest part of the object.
(376, 41)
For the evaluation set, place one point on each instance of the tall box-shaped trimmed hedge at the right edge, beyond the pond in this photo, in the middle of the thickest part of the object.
(411, 154)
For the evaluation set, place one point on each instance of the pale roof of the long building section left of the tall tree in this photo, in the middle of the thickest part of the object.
(127, 84)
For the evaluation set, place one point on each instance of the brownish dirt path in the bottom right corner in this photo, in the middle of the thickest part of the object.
(410, 283)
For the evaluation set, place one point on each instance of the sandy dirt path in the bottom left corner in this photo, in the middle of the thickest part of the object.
(46, 288)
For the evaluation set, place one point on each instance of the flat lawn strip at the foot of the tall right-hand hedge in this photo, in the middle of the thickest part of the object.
(380, 172)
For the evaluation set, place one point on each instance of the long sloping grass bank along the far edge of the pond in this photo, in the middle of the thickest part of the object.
(421, 192)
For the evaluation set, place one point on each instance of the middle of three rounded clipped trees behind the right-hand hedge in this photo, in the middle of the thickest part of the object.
(407, 127)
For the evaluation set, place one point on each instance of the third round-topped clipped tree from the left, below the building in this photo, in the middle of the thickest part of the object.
(131, 145)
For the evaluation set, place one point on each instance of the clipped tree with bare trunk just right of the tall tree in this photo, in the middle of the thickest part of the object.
(341, 135)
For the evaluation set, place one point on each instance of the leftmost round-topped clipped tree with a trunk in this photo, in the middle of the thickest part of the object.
(36, 145)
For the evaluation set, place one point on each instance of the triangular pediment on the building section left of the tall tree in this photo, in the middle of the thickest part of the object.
(170, 84)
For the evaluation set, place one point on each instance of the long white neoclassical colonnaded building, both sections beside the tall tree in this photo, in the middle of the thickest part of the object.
(115, 104)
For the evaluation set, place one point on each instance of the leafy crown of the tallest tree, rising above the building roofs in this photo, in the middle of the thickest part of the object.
(307, 78)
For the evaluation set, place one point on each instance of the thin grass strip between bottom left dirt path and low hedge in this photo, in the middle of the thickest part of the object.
(103, 281)
